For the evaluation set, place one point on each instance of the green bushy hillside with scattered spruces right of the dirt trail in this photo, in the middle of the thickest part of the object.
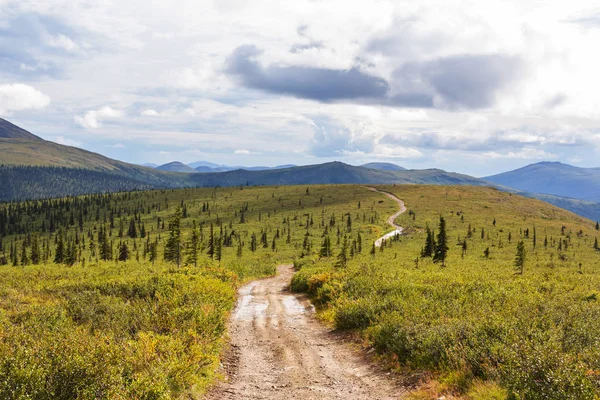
(514, 311)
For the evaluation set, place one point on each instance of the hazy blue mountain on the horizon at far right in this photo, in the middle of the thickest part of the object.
(553, 178)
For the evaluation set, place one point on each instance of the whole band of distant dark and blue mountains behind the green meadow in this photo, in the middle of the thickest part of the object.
(33, 168)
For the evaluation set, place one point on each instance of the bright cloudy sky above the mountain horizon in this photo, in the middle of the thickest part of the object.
(477, 87)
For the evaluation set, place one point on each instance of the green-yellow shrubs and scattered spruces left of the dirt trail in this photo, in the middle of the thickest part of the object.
(127, 295)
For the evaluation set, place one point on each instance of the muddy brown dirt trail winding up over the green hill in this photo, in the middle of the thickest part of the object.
(279, 350)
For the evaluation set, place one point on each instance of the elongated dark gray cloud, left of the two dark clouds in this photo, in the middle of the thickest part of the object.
(320, 84)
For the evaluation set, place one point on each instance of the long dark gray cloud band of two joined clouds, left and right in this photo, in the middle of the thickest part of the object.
(458, 82)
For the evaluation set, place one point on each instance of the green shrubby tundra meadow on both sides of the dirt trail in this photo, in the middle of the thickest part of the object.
(127, 295)
